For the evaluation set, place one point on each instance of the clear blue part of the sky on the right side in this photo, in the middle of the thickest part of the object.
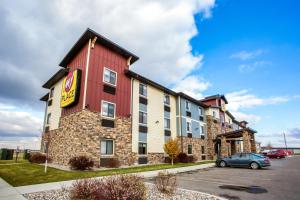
(270, 31)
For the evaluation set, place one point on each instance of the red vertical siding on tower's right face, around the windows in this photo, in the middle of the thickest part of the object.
(101, 57)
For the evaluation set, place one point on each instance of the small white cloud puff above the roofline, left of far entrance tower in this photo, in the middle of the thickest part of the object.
(193, 86)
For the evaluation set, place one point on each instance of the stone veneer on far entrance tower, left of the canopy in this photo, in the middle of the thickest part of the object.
(213, 129)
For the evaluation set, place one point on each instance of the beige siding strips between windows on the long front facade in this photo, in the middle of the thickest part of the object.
(155, 118)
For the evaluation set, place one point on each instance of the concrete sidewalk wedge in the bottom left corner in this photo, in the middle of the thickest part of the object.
(8, 192)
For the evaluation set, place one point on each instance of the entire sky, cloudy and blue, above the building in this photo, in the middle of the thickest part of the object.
(247, 50)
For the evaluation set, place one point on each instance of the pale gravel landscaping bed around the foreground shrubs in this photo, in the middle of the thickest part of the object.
(152, 193)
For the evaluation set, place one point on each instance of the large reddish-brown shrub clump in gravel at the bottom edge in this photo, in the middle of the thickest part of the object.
(122, 187)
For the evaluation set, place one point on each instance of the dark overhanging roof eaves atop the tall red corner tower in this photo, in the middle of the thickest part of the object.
(90, 34)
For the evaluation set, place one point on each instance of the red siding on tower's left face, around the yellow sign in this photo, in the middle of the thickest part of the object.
(78, 62)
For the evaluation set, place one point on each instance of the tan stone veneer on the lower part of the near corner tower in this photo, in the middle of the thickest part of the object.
(80, 134)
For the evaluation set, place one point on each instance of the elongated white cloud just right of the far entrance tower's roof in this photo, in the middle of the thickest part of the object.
(243, 99)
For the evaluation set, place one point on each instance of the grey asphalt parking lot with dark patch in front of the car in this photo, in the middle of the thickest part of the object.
(280, 181)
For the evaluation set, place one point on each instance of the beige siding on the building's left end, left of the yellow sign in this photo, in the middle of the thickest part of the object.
(55, 108)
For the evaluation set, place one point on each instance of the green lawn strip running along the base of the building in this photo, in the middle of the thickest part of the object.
(28, 174)
